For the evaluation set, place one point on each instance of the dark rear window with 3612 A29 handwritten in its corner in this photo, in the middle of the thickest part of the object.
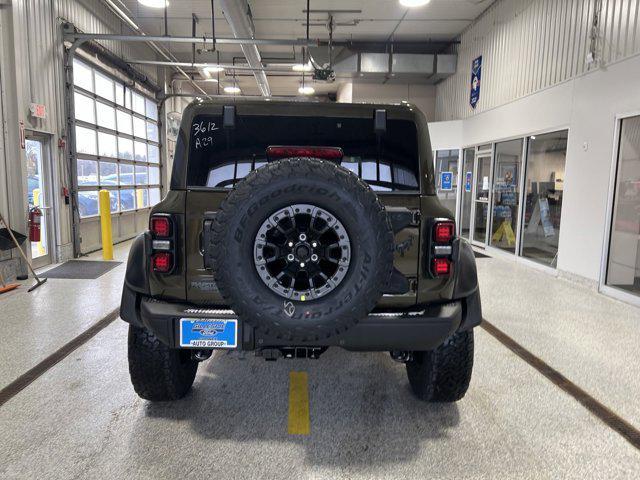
(218, 158)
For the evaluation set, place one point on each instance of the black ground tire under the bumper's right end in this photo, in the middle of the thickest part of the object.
(443, 374)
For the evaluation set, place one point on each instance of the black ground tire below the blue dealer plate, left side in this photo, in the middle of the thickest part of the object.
(158, 373)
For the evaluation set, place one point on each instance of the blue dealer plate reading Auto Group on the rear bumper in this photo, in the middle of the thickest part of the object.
(208, 333)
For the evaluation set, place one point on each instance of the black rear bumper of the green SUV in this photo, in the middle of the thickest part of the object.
(422, 330)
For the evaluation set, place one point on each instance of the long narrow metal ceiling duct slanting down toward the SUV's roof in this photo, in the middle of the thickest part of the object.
(238, 16)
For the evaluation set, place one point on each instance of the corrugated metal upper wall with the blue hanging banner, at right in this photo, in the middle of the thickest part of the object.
(529, 45)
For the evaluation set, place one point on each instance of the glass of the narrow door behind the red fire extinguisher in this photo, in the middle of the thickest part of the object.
(39, 195)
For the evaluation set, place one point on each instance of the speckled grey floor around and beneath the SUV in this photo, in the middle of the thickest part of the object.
(81, 419)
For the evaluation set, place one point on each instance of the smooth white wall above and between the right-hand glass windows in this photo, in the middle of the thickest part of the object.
(587, 106)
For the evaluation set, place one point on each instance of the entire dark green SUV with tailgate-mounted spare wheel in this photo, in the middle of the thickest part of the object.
(292, 227)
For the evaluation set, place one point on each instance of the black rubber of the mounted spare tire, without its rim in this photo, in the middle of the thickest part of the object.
(302, 181)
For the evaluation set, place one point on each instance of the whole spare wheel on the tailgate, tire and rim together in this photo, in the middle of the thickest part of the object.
(302, 249)
